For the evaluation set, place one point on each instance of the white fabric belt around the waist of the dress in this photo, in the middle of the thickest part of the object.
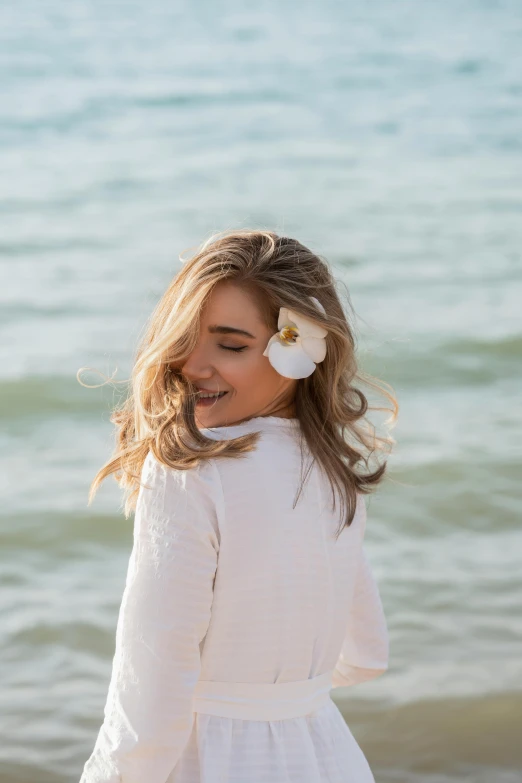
(262, 701)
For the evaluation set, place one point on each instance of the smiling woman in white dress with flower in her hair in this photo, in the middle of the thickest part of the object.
(245, 602)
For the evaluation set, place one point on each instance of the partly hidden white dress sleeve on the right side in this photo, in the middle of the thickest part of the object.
(365, 651)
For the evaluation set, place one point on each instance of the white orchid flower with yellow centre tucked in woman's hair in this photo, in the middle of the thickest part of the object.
(299, 344)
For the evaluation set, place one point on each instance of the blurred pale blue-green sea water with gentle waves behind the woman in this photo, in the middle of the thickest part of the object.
(388, 138)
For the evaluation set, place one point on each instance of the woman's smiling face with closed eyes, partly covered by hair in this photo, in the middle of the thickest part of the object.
(229, 358)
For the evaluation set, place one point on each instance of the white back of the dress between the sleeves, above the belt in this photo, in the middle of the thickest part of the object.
(284, 585)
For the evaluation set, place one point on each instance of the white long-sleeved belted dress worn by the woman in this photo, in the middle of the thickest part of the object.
(239, 615)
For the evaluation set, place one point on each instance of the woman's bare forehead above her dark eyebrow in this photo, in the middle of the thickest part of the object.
(230, 303)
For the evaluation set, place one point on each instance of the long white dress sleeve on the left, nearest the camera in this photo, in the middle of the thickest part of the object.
(164, 616)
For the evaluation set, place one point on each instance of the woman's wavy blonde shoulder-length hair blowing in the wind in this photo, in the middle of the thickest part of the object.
(158, 412)
